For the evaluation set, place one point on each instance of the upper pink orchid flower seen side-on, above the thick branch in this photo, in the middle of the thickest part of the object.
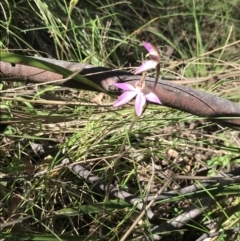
(149, 64)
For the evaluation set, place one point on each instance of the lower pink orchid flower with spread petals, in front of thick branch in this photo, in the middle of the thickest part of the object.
(130, 92)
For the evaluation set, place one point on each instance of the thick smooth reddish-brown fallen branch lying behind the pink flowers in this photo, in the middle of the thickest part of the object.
(172, 95)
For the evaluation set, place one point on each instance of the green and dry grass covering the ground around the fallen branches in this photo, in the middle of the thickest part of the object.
(196, 39)
